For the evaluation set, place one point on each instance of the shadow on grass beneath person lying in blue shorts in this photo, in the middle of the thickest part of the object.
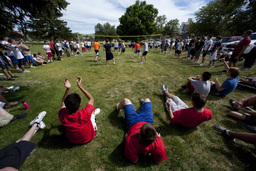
(117, 157)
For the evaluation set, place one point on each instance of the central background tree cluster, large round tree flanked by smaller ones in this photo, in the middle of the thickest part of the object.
(139, 19)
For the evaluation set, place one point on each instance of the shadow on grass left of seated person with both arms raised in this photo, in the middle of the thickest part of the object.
(55, 141)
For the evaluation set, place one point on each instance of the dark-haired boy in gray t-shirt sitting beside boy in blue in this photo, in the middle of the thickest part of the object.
(201, 85)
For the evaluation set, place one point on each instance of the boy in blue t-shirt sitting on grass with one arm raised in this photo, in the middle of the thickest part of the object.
(229, 84)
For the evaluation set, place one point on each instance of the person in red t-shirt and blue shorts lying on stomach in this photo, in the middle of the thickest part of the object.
(142, 137)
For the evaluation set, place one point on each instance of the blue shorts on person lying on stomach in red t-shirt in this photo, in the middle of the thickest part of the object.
(131, 116)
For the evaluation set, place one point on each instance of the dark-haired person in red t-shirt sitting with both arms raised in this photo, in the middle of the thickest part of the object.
(80, 125)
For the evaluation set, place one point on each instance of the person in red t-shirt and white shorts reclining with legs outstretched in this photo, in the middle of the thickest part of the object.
(180, 113)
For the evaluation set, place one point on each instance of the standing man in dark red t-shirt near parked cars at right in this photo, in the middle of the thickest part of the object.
(240, 48)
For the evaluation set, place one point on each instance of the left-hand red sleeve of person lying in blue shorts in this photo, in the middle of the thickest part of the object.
(130, 151)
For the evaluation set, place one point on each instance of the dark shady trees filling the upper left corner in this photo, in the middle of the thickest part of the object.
(38, 19)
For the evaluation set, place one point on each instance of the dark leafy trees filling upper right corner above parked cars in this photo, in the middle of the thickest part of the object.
(225, 17)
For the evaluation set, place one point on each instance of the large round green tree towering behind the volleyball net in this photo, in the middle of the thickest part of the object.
(139, 19)
